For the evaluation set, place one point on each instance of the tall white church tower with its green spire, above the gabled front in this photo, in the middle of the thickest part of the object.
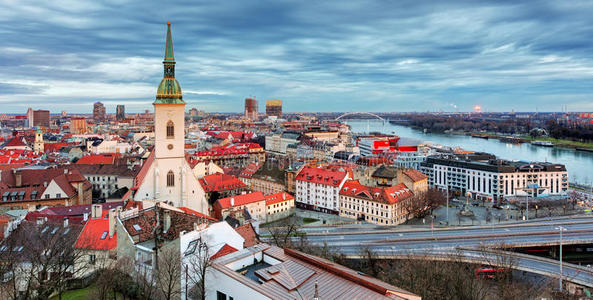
(169, 109)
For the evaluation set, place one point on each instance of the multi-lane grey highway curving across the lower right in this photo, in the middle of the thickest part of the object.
(442, 243)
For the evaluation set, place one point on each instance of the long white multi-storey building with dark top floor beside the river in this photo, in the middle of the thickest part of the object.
(485, 177)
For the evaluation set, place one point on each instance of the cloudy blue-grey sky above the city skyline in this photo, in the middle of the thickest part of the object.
(314, 55)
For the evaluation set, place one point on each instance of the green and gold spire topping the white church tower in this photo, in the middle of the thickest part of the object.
(169, 91)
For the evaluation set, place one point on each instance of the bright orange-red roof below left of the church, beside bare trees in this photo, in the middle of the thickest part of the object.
(93, 231)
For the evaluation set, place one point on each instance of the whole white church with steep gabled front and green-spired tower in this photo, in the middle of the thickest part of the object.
(166, 176)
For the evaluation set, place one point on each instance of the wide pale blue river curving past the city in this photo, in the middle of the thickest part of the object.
(578, 163)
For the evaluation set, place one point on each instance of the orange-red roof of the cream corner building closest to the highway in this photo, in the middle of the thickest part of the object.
(389, 195)
